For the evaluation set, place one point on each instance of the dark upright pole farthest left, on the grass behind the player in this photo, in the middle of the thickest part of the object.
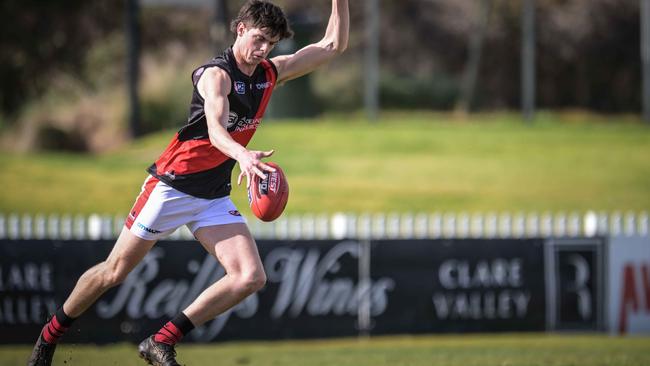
(133, 62)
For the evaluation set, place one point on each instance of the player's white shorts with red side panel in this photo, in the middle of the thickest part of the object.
(161, 209)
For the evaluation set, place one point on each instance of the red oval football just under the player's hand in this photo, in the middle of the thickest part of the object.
(268, 197)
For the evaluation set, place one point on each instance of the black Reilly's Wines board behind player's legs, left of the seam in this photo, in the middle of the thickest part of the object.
(312, 291)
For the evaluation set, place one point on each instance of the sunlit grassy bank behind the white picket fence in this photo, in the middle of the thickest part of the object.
(407, 162)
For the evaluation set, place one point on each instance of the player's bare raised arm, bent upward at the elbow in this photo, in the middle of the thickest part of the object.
(310, 57)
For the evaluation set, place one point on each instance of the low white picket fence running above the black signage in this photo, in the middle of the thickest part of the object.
(364, 226)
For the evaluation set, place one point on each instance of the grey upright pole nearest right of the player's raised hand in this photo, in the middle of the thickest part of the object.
(371, 95)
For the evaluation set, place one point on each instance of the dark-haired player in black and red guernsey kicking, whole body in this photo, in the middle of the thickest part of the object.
(189, 184)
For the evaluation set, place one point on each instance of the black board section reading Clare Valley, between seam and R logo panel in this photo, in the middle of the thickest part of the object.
(460, 285)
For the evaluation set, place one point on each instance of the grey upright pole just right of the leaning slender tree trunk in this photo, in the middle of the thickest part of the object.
(528, 60)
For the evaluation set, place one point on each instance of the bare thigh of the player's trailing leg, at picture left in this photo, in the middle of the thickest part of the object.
(128, 251)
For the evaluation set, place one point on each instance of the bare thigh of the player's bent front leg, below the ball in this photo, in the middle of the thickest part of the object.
(232, 245)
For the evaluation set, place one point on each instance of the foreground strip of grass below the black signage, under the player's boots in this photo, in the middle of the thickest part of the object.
(466, 350)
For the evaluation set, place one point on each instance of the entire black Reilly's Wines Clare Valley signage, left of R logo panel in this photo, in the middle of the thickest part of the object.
(313, 289)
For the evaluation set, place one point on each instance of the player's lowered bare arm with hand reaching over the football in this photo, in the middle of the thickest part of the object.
(214, 86)
